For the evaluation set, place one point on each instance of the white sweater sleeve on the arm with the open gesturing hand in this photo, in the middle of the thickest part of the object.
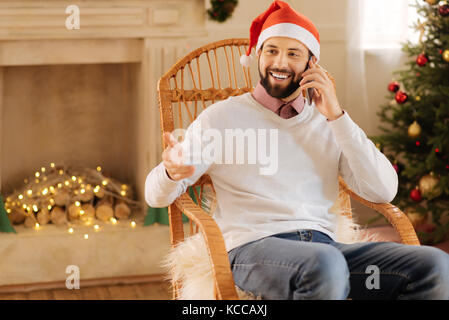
(160, 190)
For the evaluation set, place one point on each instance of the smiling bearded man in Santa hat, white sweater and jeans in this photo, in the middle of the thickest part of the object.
(278, 227)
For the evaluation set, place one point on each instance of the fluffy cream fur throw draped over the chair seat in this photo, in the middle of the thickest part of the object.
(189, 262)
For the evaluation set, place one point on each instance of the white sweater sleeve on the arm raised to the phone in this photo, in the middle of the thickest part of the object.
(365, 169)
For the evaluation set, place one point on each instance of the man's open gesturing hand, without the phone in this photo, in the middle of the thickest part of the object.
(173, 159)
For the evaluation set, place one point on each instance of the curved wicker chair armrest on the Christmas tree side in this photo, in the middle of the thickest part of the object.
(394, 215)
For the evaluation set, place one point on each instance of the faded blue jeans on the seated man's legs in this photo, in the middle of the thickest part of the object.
(307, 264)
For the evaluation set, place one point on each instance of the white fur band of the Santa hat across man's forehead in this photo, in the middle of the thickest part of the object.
(291, 30)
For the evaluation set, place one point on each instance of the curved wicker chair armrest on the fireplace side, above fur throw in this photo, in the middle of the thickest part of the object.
(224, 282)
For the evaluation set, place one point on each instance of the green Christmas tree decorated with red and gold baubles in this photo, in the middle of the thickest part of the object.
(417, 138)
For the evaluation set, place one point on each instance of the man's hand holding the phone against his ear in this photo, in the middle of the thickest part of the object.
(324, 96)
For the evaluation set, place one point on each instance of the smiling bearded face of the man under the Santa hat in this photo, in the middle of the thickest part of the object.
(281, 63)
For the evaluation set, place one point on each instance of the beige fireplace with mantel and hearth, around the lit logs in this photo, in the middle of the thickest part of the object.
(86, 97)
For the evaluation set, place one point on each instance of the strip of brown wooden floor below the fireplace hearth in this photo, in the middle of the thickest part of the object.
(142, 291)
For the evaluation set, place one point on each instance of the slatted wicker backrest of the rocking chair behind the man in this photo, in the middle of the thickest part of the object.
(206, 75)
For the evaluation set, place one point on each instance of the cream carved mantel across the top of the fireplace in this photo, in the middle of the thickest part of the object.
(30, 20)
